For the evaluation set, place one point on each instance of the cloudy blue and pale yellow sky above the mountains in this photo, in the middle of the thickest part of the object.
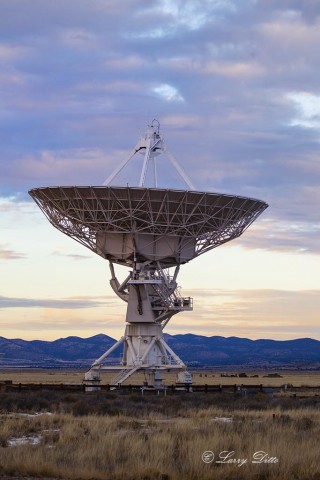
(235, 87)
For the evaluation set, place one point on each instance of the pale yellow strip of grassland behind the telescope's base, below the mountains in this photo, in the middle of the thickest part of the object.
(296, 378)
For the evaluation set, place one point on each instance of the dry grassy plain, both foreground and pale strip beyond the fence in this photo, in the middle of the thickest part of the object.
(123, 435)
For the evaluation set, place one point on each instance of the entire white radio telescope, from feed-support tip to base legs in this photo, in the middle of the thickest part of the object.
(151, 231)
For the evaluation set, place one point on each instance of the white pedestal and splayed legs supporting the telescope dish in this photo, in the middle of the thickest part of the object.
(153, 299)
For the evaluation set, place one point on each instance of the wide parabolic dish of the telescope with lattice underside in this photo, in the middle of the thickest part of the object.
(127, 224)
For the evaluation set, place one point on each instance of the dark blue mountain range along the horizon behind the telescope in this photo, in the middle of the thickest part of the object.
(195, 350)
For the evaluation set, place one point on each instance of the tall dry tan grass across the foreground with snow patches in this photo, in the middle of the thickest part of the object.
(155, 443)
